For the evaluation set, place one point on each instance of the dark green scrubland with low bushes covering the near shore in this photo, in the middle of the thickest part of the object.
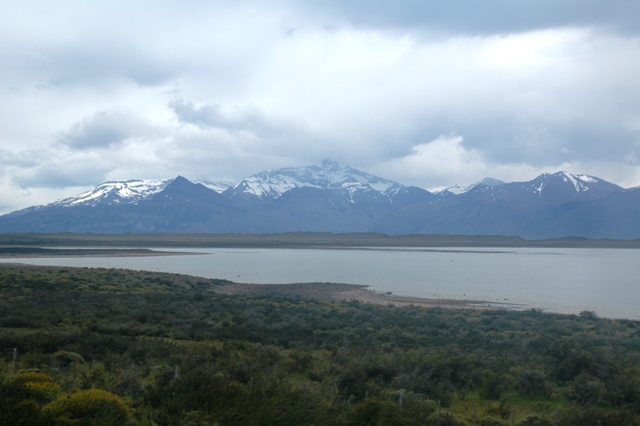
(105, 346)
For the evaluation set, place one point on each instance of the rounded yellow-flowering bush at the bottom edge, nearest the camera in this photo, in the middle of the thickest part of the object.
(95, 404)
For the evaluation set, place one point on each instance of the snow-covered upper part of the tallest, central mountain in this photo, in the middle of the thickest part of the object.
(273, 184)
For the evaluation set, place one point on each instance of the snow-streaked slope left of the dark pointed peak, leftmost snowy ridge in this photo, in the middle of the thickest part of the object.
(116, 192)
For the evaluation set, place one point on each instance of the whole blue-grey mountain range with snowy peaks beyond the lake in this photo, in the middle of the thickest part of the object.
(333, 198)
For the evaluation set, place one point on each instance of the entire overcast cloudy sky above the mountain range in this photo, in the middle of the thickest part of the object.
(423, 92)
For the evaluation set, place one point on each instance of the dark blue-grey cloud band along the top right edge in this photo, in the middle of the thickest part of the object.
(487, 16)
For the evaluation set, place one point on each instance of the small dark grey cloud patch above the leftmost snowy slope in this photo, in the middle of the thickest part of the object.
(101, 130)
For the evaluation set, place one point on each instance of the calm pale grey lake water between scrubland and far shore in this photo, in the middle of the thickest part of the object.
(606, 281)
